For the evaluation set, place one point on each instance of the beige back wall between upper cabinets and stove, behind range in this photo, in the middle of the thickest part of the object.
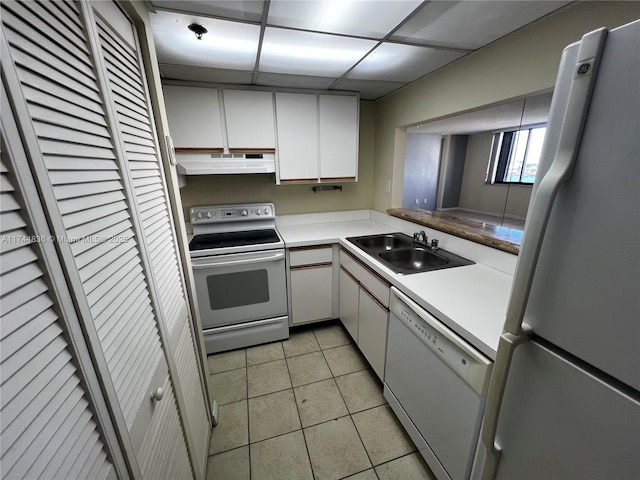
(290, 199)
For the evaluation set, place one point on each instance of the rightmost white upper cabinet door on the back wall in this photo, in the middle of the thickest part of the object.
(338, 137)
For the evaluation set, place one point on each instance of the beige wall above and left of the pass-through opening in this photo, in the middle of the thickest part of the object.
(530, 56)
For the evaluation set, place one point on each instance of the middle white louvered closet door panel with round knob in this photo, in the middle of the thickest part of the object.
(49, 45)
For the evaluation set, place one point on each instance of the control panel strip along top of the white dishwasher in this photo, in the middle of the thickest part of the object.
(461, 357)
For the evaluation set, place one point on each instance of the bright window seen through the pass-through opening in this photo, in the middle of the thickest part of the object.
(515, 155)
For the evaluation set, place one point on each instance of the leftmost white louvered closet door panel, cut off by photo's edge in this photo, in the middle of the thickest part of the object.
(48, 427)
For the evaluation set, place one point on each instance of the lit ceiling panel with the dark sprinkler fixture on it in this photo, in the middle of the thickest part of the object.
(230, 45)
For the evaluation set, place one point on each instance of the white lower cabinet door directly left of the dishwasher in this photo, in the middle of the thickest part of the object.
(372, 331)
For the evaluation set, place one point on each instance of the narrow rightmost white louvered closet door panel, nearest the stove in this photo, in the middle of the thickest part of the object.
(128, 90)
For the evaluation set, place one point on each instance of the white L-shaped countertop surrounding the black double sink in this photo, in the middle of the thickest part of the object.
(470, 300)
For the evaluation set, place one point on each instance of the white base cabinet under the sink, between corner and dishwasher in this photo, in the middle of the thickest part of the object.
(364, 309)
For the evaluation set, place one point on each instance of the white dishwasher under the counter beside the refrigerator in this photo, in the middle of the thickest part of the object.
(436, 384)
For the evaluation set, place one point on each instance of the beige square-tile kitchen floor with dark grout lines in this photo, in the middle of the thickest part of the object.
(309, 407)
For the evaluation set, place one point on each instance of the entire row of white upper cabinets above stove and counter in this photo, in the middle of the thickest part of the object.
(317, 134)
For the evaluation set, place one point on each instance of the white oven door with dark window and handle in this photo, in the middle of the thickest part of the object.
(240, 287)
